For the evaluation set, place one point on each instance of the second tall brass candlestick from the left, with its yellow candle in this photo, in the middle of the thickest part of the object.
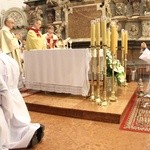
(97, 31)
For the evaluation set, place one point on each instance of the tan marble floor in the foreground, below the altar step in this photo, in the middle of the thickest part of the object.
(65, 133)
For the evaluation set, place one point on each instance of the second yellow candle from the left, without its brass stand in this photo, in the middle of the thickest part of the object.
(97, 31)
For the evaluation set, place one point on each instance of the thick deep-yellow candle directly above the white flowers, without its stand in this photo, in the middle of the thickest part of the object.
(113, 38)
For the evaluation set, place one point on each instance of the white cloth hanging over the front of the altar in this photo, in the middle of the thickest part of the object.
(62, 71)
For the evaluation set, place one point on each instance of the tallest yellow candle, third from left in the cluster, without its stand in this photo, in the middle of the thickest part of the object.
(104, 35)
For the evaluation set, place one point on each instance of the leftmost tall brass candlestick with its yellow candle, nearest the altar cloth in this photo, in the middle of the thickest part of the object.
(92, 95)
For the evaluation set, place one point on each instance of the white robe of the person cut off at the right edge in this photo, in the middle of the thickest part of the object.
(145, 56)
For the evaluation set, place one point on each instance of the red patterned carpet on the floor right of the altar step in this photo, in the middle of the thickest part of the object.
(137, 116)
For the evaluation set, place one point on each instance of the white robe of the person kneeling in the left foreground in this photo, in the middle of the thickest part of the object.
(16, 129)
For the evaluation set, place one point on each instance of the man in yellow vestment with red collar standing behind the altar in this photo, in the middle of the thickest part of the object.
(35, 40)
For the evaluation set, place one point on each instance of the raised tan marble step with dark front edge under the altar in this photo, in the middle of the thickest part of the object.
(81, 107)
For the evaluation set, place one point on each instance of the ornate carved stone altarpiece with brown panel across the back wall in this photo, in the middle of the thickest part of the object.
(71, 18)
